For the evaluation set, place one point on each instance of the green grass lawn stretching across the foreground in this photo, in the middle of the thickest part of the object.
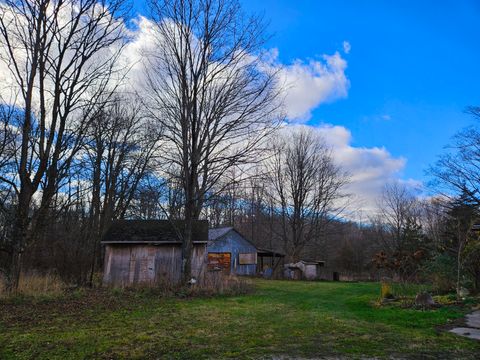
(282, 318)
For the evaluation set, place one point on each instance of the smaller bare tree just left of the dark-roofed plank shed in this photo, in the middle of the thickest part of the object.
(120, 149)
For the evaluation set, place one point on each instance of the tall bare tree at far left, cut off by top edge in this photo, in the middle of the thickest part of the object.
(61, 56)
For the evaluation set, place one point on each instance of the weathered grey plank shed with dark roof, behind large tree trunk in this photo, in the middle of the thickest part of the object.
(150, 252)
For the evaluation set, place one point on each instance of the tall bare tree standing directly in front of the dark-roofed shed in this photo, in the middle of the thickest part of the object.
(211, 92)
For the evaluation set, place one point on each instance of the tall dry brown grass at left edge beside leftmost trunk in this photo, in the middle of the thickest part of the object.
(34, 284)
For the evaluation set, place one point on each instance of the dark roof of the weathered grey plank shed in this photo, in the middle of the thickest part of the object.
(153, 231)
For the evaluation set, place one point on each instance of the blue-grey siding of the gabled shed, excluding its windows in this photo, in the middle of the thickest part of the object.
(233, 243)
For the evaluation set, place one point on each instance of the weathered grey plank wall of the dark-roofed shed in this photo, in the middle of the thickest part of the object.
(127, 264)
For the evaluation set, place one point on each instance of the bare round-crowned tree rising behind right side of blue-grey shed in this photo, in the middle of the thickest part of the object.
(306, 186)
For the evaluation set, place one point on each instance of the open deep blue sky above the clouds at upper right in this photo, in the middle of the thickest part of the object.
(412, 68)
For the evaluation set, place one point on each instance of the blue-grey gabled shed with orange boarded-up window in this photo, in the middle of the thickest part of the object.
(230, 252)
